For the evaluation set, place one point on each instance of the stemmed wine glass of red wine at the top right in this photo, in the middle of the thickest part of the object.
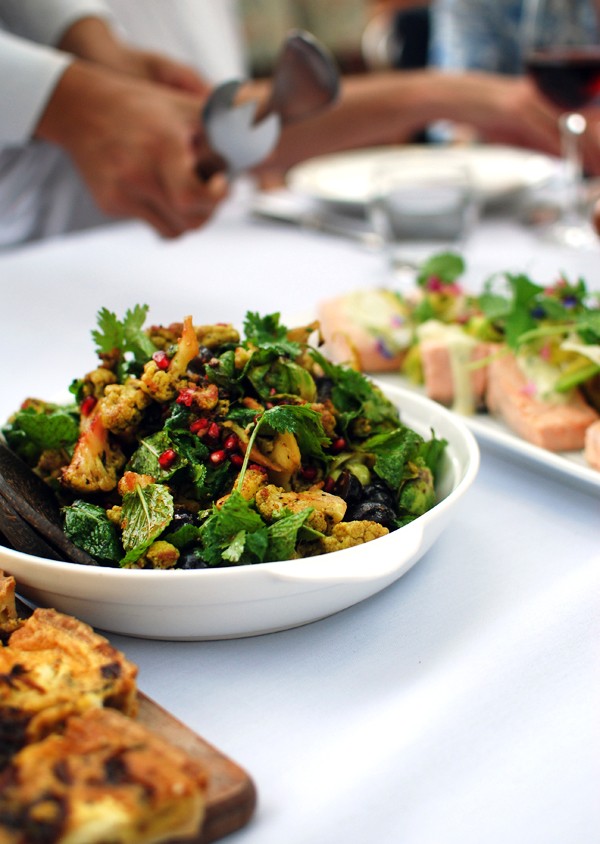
(561, 52)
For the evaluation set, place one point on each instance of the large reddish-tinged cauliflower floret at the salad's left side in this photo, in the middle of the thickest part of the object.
(96, 462)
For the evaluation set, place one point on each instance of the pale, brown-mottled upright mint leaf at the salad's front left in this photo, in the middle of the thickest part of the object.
(147, 511)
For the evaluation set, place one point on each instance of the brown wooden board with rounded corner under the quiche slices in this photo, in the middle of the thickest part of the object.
(231, 796)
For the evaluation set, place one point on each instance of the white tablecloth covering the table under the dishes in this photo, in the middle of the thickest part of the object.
(458, 705)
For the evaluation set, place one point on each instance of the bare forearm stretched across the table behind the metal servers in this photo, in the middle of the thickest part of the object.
(390, 107)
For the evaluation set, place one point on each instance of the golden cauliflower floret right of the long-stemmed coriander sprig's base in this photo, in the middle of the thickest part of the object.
(328, 510)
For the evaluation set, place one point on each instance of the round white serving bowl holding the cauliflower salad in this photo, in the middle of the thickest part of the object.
(250, 600)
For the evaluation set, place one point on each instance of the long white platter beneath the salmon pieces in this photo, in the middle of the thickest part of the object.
(570, 467)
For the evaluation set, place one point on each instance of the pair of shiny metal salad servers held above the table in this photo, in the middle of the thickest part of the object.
(305, 80)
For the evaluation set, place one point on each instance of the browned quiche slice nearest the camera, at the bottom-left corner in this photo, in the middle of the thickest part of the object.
(105, 779)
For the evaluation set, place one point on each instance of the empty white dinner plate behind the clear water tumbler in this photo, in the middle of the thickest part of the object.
(498, 172)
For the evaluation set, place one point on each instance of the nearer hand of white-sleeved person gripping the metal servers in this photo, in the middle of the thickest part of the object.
(136, 145)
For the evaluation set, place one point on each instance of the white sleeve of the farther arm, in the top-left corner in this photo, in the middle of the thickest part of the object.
(45, 21)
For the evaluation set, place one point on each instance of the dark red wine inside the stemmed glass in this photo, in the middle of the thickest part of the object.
(568, 78)
